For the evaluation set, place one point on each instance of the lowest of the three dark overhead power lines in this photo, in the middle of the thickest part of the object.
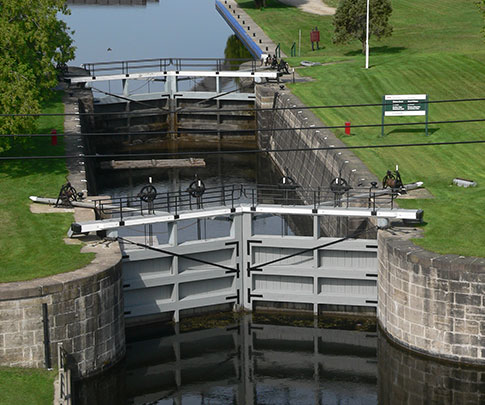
(233, 152)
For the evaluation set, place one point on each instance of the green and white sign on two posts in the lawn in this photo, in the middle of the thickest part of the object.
(400, 105)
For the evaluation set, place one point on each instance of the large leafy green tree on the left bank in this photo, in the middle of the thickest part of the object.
(32, 42)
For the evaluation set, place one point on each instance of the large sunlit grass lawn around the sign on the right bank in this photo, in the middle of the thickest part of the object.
(437, 49)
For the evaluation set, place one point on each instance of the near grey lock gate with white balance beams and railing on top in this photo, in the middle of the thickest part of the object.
(242, 266)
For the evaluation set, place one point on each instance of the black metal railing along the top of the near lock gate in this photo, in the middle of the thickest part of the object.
(230, 195)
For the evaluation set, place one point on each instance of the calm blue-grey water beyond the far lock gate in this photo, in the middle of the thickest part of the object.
(168, 28)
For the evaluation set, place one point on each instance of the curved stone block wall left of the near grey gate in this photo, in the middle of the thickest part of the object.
(85, 314)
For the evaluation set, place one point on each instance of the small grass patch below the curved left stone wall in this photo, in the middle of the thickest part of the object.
(20, 386)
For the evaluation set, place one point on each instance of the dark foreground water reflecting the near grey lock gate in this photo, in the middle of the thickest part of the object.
(254, 360)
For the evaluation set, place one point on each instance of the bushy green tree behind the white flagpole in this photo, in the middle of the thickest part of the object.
(350, 20)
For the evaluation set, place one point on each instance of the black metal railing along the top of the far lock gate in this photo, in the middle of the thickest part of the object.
(127, 67)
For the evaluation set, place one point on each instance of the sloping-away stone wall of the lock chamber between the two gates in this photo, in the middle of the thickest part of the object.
(314, 168)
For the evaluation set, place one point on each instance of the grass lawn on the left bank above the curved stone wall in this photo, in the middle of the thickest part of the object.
(32, 245)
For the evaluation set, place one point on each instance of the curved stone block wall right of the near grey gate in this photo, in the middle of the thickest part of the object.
(431, 303)
